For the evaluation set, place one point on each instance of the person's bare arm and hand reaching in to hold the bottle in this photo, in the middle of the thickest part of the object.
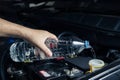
(36, 37)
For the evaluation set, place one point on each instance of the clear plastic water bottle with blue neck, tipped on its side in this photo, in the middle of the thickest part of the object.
(26, 52)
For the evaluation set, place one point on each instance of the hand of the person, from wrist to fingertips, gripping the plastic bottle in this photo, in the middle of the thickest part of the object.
(38, 37)
